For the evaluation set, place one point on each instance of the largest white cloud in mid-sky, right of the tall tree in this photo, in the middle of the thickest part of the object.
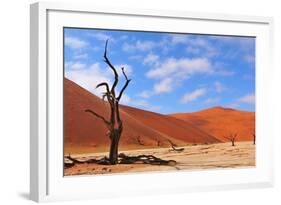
(180, 68)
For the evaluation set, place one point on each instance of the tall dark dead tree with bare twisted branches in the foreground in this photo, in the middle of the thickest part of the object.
(114, 124)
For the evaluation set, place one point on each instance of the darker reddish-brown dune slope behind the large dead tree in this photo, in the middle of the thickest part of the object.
(82, 129)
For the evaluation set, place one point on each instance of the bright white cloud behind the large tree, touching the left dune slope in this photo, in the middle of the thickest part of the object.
(89, 78)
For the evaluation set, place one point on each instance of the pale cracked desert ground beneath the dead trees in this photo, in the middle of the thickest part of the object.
(196, 157)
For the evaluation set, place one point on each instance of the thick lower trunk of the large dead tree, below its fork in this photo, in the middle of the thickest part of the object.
(113, 153)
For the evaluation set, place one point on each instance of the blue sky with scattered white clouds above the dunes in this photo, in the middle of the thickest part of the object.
(170, 72)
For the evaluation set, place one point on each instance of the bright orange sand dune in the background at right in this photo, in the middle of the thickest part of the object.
(221, 122)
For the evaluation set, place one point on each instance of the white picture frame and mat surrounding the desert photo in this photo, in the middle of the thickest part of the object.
(46, 162)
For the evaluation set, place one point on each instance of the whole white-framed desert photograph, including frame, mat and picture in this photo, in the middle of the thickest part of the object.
(147, 101)
